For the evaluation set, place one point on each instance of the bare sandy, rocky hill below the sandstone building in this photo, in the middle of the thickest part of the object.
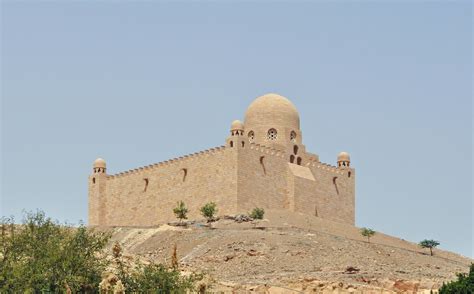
(295, 253)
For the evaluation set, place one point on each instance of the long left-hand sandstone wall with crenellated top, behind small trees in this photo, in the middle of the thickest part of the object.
(147, 196)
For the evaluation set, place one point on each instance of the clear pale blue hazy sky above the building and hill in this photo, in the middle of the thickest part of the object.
(140, 82)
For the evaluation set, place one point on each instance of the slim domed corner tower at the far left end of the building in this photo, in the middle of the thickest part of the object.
(97, 189)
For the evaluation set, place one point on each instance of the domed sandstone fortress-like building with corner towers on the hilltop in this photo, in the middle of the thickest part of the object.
(263, 164)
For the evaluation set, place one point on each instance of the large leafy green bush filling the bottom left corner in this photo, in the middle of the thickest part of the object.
(44, 256)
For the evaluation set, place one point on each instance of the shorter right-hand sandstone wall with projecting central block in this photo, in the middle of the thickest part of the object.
(267, 179)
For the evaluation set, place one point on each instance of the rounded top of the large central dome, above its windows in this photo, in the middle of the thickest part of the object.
(272, 110)
